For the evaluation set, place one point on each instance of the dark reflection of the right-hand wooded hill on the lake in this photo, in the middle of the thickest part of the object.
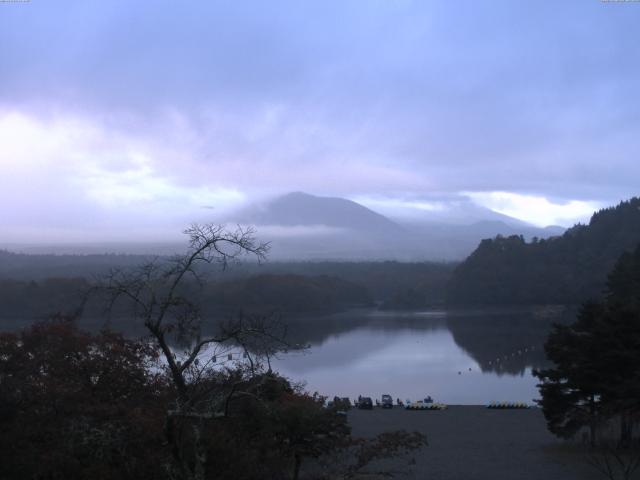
(506, 342)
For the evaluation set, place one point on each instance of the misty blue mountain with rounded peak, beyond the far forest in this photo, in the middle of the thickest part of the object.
(304, 226)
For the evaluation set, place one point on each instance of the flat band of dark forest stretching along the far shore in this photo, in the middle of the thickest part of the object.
(35, 286)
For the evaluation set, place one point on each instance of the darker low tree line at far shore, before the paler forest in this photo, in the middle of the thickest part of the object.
(28, 300)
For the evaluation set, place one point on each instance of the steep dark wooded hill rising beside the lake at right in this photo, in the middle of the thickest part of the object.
(568, 269)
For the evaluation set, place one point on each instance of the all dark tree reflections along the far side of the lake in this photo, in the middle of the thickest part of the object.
(500, 341)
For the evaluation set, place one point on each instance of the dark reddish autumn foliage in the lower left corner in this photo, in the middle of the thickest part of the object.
(77, 405)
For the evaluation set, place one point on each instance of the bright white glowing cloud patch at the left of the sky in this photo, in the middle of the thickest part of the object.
(70, 172)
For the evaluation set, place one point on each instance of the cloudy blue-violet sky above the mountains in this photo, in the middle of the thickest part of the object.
(122, 119)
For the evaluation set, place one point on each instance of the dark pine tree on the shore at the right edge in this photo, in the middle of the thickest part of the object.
(596, 373)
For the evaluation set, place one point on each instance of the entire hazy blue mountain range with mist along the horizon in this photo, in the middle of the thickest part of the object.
(304, 227)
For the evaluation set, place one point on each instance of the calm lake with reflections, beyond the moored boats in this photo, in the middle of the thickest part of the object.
(465, 358)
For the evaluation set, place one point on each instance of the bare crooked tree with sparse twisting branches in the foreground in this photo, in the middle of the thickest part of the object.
(158, 294)
